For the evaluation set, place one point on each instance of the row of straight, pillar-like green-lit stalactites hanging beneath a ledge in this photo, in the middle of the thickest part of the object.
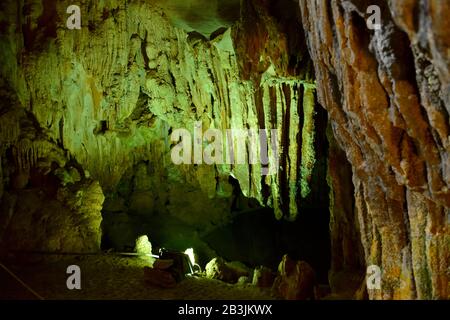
(280, 101)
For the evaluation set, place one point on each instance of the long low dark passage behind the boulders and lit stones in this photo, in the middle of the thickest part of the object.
(253, 237)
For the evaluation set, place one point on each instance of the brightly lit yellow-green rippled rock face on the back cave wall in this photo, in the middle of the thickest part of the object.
(175, 79)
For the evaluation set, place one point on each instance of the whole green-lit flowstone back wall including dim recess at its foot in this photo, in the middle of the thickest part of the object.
(108, 96)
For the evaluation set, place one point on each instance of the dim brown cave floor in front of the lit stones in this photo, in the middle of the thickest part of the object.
(109, 277)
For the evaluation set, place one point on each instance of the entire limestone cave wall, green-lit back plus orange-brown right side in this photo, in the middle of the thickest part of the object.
(86, 118)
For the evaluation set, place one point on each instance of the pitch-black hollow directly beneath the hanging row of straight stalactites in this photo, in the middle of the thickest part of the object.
(256, 238)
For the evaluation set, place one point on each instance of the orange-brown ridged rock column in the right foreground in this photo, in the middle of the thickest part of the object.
(387, 95)
